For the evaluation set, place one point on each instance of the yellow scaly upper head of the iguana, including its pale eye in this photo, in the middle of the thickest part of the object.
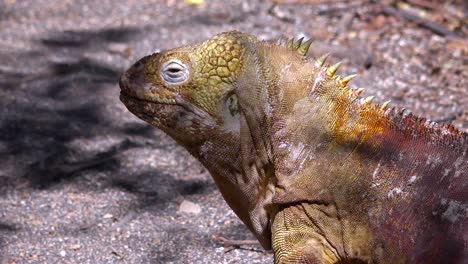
(200, 74)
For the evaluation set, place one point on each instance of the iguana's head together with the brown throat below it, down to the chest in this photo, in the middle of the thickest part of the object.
(188, 92)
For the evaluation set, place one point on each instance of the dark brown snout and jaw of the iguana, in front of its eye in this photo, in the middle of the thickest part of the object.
(159, 104)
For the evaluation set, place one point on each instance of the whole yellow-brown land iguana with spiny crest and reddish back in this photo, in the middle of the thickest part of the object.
(316, 172)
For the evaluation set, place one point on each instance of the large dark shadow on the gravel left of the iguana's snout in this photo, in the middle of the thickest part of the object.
(51, 103)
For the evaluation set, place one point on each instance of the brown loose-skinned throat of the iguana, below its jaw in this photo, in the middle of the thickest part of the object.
(221, 154)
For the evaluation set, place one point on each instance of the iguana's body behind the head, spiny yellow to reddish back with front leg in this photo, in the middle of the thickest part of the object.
(352, 180)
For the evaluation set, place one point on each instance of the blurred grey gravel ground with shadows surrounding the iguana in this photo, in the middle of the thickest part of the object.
(84, 181)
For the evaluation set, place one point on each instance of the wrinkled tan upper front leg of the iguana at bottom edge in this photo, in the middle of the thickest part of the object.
(312, 233)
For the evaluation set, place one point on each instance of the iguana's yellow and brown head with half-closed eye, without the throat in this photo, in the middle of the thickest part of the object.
(187, 92)
